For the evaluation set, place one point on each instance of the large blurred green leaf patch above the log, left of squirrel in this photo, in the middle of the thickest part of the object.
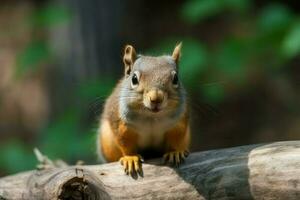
(64, 137)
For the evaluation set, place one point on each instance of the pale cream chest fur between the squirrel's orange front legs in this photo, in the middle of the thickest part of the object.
(151, 132)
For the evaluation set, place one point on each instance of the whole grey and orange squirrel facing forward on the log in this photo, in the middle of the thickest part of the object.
(146, 110)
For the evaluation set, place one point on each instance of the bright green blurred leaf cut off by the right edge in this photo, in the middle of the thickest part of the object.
(291, 42)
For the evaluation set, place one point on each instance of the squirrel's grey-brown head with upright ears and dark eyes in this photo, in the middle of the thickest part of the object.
(151, 85)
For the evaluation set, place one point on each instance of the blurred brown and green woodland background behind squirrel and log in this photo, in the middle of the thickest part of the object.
(59, 59)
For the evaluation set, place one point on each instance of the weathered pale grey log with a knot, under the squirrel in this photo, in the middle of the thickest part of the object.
(264, 171)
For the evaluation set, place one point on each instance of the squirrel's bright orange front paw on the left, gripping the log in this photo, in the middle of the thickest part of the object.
(132, 164)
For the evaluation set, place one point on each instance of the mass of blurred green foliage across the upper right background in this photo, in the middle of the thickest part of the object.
(272, 40)
